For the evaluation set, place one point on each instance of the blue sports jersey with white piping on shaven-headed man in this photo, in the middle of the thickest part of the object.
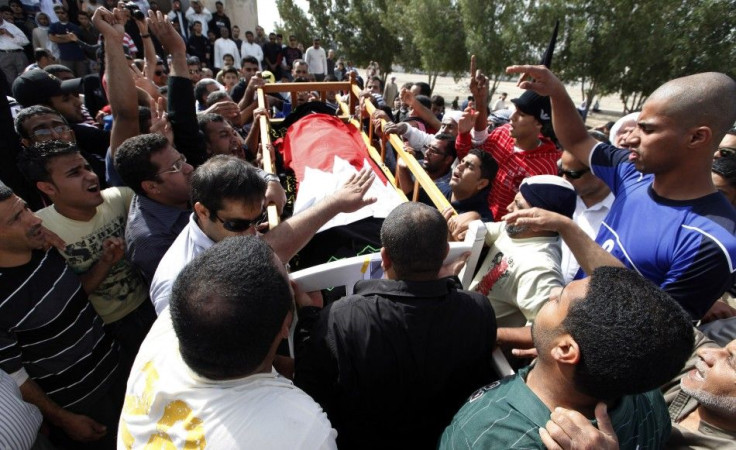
(686, 247)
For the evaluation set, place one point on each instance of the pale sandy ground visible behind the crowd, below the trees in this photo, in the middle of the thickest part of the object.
(611, 107)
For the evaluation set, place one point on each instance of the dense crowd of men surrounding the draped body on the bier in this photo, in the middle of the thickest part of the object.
(144, 302)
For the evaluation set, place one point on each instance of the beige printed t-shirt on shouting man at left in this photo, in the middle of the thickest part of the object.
(123, 290)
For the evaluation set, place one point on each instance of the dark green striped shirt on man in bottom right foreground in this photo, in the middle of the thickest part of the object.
(507, 414)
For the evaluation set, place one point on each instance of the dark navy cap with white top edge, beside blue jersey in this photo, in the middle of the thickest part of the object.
(549, 192)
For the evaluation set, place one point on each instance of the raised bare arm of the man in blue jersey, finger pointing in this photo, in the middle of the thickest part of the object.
(566, 120)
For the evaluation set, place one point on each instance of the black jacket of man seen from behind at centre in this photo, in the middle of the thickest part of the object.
(392, 364)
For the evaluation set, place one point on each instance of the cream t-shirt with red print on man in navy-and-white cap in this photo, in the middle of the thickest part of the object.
(517, 275)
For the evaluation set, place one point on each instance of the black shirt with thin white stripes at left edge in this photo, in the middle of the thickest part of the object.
(50, 332)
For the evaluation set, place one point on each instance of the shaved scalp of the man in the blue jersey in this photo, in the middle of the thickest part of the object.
(704, 99)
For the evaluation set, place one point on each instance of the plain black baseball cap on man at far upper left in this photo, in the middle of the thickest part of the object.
(36, 86)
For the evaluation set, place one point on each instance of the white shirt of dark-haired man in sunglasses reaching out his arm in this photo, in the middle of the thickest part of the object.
(191, 242)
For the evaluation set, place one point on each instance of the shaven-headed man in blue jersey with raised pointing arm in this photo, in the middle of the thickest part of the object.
(668, 222)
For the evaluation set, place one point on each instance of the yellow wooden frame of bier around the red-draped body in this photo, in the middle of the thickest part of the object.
(349, 114)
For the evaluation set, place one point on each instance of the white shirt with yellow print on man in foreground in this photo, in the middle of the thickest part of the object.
(167, 402)
